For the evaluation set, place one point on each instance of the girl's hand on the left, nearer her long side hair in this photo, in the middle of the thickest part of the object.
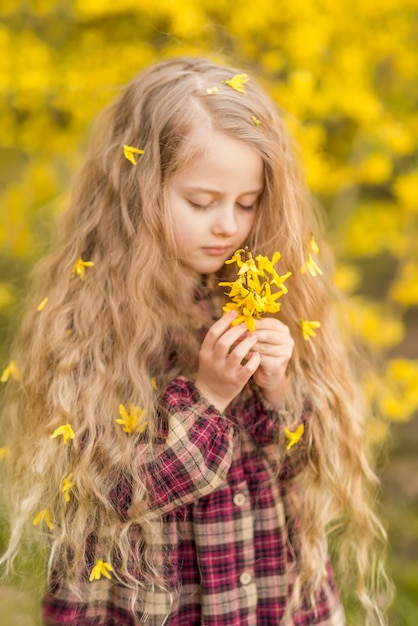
(221, 374)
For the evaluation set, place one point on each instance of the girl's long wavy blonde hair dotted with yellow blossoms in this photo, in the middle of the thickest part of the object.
(100, 341)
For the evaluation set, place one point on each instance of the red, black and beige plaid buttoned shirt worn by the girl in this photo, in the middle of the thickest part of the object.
(227, 546)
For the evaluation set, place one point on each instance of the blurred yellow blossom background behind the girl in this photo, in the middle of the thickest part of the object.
(346, 73)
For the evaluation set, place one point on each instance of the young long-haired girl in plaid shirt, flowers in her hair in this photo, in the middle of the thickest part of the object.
(183, 469)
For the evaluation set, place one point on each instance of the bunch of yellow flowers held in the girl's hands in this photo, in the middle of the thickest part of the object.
(251, 293)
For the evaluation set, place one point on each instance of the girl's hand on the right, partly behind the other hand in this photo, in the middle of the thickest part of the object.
(275, 347)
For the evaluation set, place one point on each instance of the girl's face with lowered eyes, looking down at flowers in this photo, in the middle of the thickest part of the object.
(213, 200)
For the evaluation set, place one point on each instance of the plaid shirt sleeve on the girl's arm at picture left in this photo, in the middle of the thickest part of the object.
(192, 462)
